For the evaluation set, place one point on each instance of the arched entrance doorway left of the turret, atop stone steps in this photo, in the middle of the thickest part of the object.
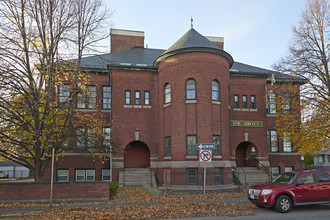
(137, 155)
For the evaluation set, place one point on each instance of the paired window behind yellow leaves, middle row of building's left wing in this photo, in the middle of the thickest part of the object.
(85, 138)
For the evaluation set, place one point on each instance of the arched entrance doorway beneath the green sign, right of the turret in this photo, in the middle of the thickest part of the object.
(246, 155)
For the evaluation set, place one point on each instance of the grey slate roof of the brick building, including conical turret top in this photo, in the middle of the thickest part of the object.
(139, 57)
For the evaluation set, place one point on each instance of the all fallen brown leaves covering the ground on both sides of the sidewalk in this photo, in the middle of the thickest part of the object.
(136, 203)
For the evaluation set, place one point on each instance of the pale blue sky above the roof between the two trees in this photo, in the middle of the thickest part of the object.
(256, 32)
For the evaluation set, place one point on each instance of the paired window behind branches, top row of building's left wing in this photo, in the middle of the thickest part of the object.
(87, 98)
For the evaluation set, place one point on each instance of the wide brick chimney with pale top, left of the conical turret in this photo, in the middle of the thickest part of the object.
(125, 39)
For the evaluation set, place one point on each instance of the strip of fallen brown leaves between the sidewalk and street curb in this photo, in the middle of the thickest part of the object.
(164, 211)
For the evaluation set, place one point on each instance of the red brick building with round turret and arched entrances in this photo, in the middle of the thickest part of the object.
(164, 102)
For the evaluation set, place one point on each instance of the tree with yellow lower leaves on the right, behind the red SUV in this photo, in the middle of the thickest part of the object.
(308, 60)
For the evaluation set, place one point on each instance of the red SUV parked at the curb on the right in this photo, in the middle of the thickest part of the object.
(292, 189)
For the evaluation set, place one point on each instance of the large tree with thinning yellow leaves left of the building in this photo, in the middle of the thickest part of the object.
(38, 41)
